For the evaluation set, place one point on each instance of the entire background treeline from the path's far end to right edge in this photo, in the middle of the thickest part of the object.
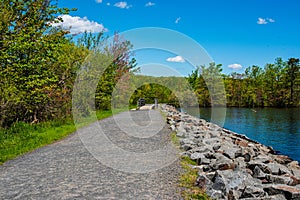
(275, 85)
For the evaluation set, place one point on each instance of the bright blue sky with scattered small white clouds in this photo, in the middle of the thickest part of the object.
(235, 33)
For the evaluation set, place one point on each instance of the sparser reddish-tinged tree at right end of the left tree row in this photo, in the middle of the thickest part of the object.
(108, 62)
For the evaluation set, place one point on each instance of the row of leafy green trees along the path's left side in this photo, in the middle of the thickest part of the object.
(39, 62)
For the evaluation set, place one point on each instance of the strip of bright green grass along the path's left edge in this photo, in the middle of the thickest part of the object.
(23, 137)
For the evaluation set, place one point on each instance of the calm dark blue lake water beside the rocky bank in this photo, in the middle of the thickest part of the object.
(279, 128)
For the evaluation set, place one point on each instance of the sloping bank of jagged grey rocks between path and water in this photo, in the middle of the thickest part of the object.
(231, 166)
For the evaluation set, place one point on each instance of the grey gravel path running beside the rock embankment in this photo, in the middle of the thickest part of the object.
(67, 170)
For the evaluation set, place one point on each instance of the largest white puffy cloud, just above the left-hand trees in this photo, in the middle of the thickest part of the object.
(78, 25)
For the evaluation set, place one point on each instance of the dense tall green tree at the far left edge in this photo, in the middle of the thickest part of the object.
(30, 54)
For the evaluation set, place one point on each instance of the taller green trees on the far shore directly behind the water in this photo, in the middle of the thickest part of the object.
(275, 85)
